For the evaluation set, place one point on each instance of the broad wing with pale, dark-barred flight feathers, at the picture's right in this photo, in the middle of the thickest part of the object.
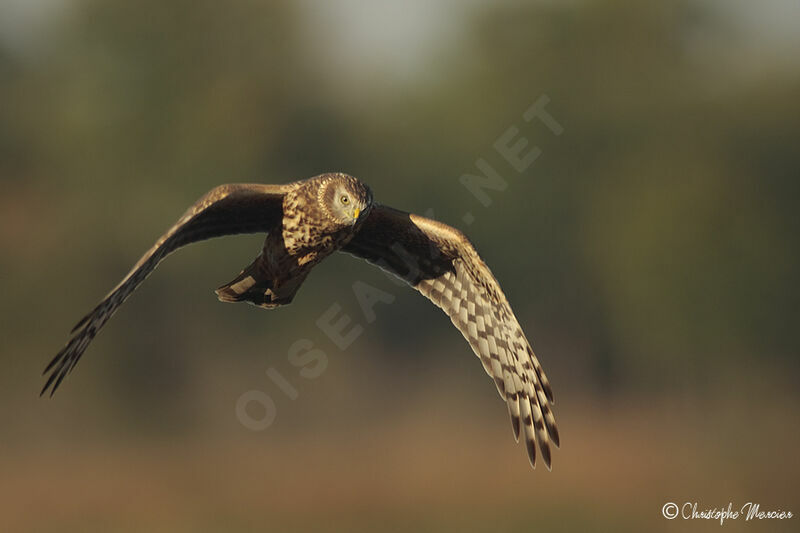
(441, 263)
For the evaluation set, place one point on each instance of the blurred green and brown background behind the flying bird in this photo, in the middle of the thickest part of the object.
(650, 252)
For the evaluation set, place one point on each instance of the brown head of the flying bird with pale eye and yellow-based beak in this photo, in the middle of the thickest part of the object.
(345, 199)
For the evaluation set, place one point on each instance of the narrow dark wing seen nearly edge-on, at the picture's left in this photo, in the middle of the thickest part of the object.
(225, 210)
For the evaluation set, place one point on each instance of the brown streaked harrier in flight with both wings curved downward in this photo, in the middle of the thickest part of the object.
(308, 220)
